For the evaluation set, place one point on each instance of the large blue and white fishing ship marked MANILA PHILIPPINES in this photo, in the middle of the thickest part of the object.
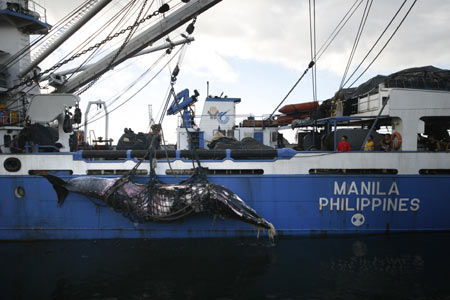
(304, 189)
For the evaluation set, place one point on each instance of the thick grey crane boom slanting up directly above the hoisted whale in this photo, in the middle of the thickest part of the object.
(143, 40)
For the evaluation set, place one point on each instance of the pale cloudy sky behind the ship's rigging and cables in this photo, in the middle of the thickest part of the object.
(257, 49)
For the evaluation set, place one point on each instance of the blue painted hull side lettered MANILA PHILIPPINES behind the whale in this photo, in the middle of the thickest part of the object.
(295, 204)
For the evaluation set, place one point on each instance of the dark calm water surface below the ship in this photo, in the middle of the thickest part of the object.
(412, 266)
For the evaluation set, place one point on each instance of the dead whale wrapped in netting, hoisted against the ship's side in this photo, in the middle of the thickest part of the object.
(161, 202)
